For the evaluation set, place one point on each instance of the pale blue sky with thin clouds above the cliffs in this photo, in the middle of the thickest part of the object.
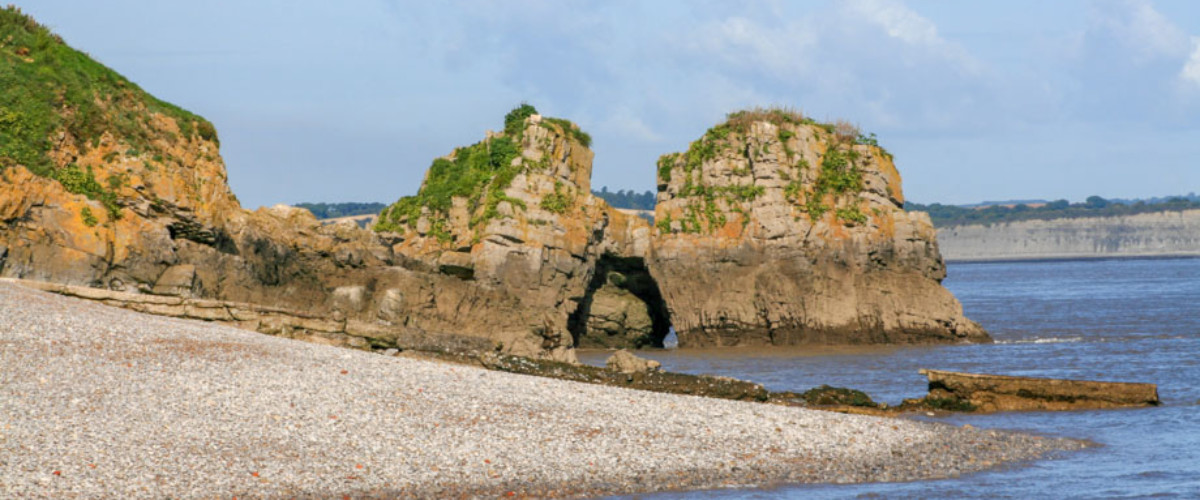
(351, 101)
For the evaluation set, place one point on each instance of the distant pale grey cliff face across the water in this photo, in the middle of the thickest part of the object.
(1161, 234)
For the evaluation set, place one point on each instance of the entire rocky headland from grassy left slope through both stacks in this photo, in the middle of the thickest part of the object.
(771, 230)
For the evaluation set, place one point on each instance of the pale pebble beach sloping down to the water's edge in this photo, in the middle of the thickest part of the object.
(98, 402)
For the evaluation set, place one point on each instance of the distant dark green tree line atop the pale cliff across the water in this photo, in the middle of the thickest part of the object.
(945, 216)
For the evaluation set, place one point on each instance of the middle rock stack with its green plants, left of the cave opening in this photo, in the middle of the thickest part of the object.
(514, 220)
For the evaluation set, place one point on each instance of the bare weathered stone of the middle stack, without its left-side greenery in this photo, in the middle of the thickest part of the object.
(518, 274)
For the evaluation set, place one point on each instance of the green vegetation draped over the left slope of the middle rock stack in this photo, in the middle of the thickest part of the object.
(478, 174)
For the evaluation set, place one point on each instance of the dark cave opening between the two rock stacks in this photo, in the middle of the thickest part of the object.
(622, 308)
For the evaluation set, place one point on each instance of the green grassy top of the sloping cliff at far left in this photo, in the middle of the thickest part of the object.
(49, 88)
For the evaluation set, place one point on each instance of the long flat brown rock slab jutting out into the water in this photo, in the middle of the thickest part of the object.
(1017, 394)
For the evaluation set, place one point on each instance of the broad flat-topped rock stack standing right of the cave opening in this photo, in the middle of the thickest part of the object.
(776, 230)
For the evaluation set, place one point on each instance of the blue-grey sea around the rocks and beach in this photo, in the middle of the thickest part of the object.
(1123, 321)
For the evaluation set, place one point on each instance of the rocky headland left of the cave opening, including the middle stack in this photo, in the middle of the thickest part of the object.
(131, 196)
